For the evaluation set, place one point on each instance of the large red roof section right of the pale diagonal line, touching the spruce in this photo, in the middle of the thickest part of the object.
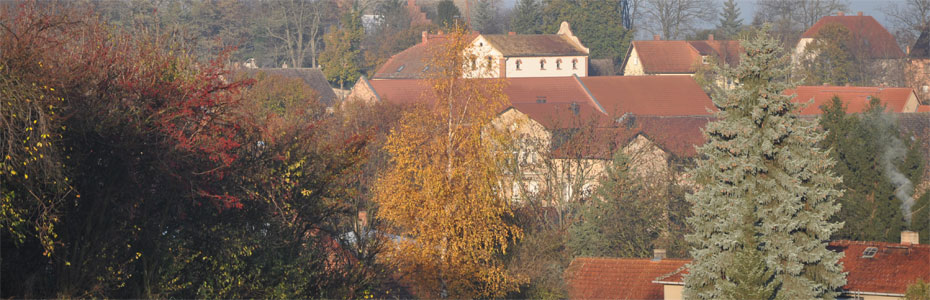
(649, 95)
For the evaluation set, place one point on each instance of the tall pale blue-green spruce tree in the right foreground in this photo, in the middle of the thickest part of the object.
(761, 176)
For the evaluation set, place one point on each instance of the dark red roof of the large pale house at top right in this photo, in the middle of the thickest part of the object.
(866, 31)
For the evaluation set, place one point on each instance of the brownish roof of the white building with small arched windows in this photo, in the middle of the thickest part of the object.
(534, 44)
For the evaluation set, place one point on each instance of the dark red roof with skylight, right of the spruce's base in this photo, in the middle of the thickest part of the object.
(891, 270)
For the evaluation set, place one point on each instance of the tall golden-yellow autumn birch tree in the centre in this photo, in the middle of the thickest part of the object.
(443, 190)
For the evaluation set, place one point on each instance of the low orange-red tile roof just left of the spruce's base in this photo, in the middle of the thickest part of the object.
(617, 278)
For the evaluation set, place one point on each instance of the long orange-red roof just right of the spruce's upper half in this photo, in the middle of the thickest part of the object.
(855, 98)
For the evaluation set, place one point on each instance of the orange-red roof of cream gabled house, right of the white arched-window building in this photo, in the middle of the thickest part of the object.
(682, 57)
